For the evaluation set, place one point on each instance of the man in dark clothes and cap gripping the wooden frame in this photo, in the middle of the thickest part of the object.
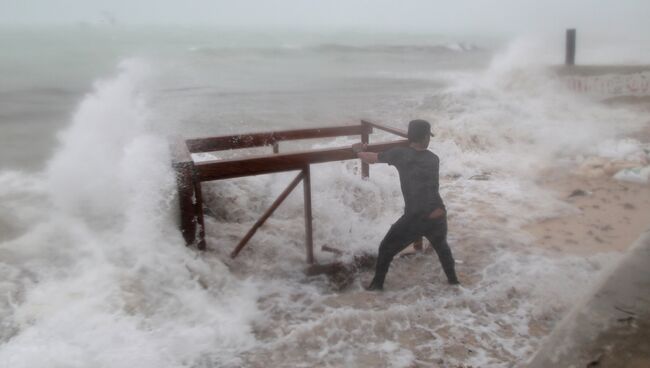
(424, 212)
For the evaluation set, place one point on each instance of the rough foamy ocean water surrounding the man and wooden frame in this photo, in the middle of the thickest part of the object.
(95, 273)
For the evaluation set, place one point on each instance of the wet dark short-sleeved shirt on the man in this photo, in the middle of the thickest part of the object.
(418, 176)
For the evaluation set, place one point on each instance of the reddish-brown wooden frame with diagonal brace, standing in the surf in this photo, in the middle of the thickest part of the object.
(190, 174)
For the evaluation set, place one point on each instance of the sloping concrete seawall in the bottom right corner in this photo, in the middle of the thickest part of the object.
(611, 328)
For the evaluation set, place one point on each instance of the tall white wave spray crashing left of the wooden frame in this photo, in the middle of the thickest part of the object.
(103, 278)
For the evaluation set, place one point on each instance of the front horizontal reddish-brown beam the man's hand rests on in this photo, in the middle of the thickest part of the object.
(266, 164)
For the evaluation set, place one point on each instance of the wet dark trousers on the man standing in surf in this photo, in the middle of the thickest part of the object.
(405, 231)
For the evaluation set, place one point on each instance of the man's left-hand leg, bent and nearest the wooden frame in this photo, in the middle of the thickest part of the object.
(400, 235)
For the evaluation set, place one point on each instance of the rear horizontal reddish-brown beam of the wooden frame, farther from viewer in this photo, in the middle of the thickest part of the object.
(211, 144)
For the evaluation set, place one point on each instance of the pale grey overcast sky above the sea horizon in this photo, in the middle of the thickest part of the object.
(618, 16)
